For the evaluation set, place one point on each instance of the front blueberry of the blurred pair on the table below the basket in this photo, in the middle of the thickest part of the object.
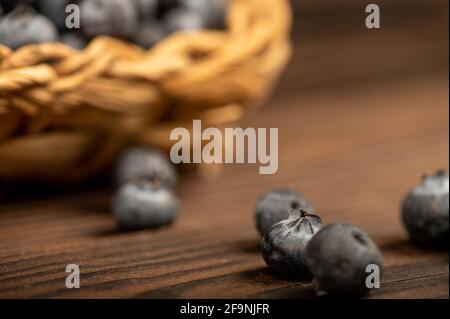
(144, 204)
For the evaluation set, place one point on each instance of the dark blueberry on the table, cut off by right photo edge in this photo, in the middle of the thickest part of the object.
(425, 211)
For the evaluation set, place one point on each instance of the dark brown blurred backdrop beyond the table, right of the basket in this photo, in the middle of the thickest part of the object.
(333, 49)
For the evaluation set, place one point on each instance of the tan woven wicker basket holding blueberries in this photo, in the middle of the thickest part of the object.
(65, 114)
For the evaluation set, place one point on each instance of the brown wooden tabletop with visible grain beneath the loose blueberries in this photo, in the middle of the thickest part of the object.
(354, 153)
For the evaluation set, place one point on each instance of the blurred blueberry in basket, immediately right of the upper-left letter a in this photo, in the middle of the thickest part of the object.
(117, 18)
